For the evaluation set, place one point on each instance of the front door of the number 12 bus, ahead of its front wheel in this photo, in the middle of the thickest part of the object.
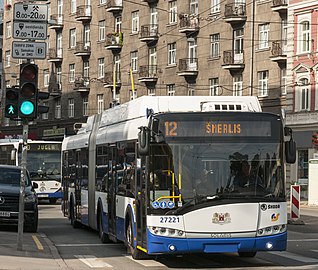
(141, 205)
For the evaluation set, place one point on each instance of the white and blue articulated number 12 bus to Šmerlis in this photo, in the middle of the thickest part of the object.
(173, 175)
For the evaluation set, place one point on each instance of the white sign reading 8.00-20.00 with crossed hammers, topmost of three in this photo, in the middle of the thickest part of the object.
(30, 12)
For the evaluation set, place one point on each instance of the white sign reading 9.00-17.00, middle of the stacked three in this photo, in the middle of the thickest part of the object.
(30, 30)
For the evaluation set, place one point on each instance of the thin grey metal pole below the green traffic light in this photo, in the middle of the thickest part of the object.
(22, 184)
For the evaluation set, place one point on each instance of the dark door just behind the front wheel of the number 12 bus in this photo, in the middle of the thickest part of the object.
(111, 194)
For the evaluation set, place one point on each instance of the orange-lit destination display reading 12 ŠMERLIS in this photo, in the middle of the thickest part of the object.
(212, 128)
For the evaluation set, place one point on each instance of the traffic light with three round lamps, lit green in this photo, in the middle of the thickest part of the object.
(28, 91)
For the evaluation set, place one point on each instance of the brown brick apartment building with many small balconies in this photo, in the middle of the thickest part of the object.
(105, 52)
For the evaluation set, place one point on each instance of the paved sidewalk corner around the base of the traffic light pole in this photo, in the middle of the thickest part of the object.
(38, 252)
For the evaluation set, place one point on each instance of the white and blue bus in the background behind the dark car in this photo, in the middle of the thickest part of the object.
(44, 164)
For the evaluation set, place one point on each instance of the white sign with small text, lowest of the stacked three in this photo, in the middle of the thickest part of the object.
(28, 50)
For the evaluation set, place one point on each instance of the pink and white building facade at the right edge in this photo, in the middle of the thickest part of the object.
(302, 109)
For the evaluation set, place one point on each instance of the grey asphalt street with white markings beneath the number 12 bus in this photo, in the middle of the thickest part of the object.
(81, 248)
